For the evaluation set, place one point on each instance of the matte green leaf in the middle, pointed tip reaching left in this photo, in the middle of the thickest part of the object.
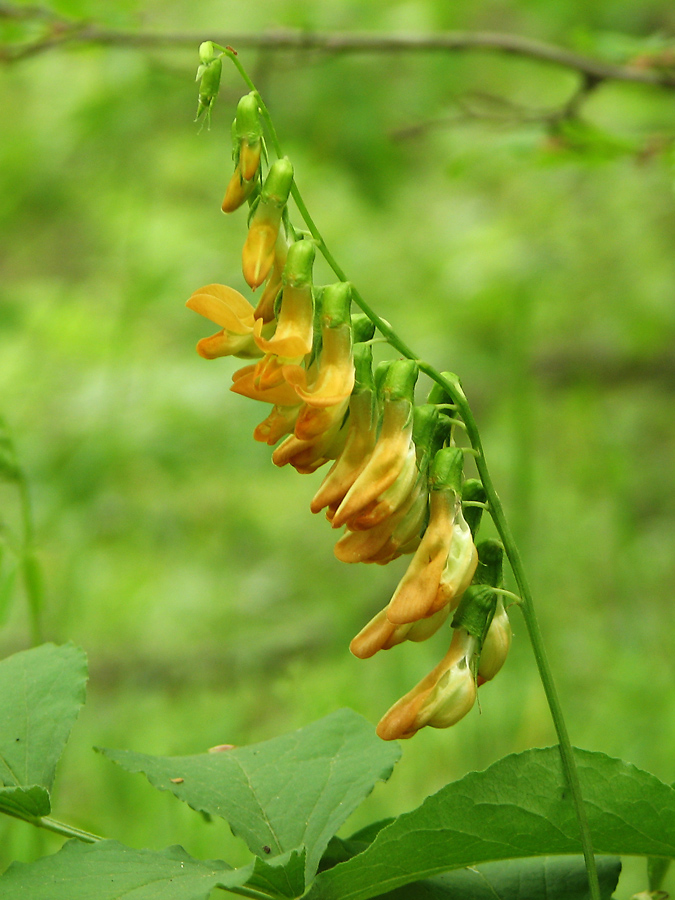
(278, 795)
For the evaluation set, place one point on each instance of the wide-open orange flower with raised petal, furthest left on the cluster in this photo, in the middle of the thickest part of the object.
(227, 308)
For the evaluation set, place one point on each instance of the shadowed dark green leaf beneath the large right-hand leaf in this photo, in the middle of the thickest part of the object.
(546, 877)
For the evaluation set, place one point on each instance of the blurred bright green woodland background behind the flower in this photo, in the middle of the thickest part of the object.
(538, 264)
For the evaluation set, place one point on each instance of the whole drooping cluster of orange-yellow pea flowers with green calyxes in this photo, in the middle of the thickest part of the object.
(396, 482)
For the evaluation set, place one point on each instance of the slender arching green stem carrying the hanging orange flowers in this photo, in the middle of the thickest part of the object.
(453, 387)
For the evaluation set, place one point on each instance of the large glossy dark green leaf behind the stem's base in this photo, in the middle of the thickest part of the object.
(519, 807)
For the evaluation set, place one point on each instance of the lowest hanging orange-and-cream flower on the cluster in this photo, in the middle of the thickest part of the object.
(441, 699)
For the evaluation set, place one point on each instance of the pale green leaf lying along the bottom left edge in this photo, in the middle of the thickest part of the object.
(110, 871)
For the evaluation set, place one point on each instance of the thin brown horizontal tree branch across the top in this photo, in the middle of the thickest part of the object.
(335, 43)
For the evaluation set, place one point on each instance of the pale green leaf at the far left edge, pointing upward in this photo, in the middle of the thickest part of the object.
(41, 692)
